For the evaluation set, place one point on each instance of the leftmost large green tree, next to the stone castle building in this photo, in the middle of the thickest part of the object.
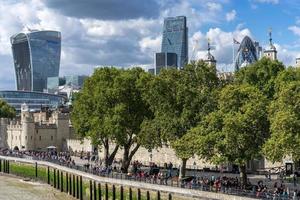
(92, 109)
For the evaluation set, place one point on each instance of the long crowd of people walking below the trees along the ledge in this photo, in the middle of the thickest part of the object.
(152, 173)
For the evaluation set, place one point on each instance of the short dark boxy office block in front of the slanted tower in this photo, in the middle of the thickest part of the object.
(165, 60)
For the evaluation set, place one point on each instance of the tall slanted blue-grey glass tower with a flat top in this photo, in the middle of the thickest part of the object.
(175, 39)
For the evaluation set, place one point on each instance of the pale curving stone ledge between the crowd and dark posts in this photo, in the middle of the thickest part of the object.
(146, 186)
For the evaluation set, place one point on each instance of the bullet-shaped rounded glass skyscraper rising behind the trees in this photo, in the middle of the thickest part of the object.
(247, 53)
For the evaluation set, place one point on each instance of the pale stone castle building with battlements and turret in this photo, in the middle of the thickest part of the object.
(39, 130)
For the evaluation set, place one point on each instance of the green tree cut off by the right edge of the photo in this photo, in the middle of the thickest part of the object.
(285, 123)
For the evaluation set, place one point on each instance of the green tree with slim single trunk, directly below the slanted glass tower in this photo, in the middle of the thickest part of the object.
(179, 99)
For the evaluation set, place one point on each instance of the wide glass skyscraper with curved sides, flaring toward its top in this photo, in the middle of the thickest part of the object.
(36, 57)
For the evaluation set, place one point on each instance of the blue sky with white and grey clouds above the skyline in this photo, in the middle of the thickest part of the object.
(128, 33)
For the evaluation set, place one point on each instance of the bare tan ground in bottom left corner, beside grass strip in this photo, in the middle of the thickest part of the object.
(15, 189)
